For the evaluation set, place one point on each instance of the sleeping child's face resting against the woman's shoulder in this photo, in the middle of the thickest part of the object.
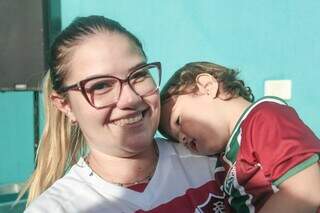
(193, 120)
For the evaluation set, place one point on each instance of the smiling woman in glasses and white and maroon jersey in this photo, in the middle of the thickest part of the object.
(103, 107)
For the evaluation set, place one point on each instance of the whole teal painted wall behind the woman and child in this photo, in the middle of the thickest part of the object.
(263, 39)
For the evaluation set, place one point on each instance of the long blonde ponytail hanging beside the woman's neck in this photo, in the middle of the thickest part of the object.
(60, 145)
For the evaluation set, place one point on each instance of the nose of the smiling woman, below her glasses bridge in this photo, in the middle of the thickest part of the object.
(128, 98)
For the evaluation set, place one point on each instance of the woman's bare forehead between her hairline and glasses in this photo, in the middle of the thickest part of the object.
(104, 54)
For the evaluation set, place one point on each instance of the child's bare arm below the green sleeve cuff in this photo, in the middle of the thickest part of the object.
(299, 193)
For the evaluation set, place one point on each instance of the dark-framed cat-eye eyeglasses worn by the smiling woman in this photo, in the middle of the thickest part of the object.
(104, 91)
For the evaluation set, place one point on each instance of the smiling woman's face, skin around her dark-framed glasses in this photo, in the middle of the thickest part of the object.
(126, 128)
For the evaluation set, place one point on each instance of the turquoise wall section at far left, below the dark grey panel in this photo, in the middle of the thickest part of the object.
(16, 141)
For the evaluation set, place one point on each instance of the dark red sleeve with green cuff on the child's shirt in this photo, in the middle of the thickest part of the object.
(281, 142)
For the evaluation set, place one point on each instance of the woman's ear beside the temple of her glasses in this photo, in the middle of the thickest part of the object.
(62, 104)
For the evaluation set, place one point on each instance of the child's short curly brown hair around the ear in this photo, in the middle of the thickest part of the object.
(183, 81)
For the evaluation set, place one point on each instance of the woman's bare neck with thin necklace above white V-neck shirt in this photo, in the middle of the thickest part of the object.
(124, 171)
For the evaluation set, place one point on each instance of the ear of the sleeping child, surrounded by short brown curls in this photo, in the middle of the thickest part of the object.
(207, 84)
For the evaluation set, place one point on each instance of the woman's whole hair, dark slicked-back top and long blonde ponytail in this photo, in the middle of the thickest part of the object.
(62, 142)
